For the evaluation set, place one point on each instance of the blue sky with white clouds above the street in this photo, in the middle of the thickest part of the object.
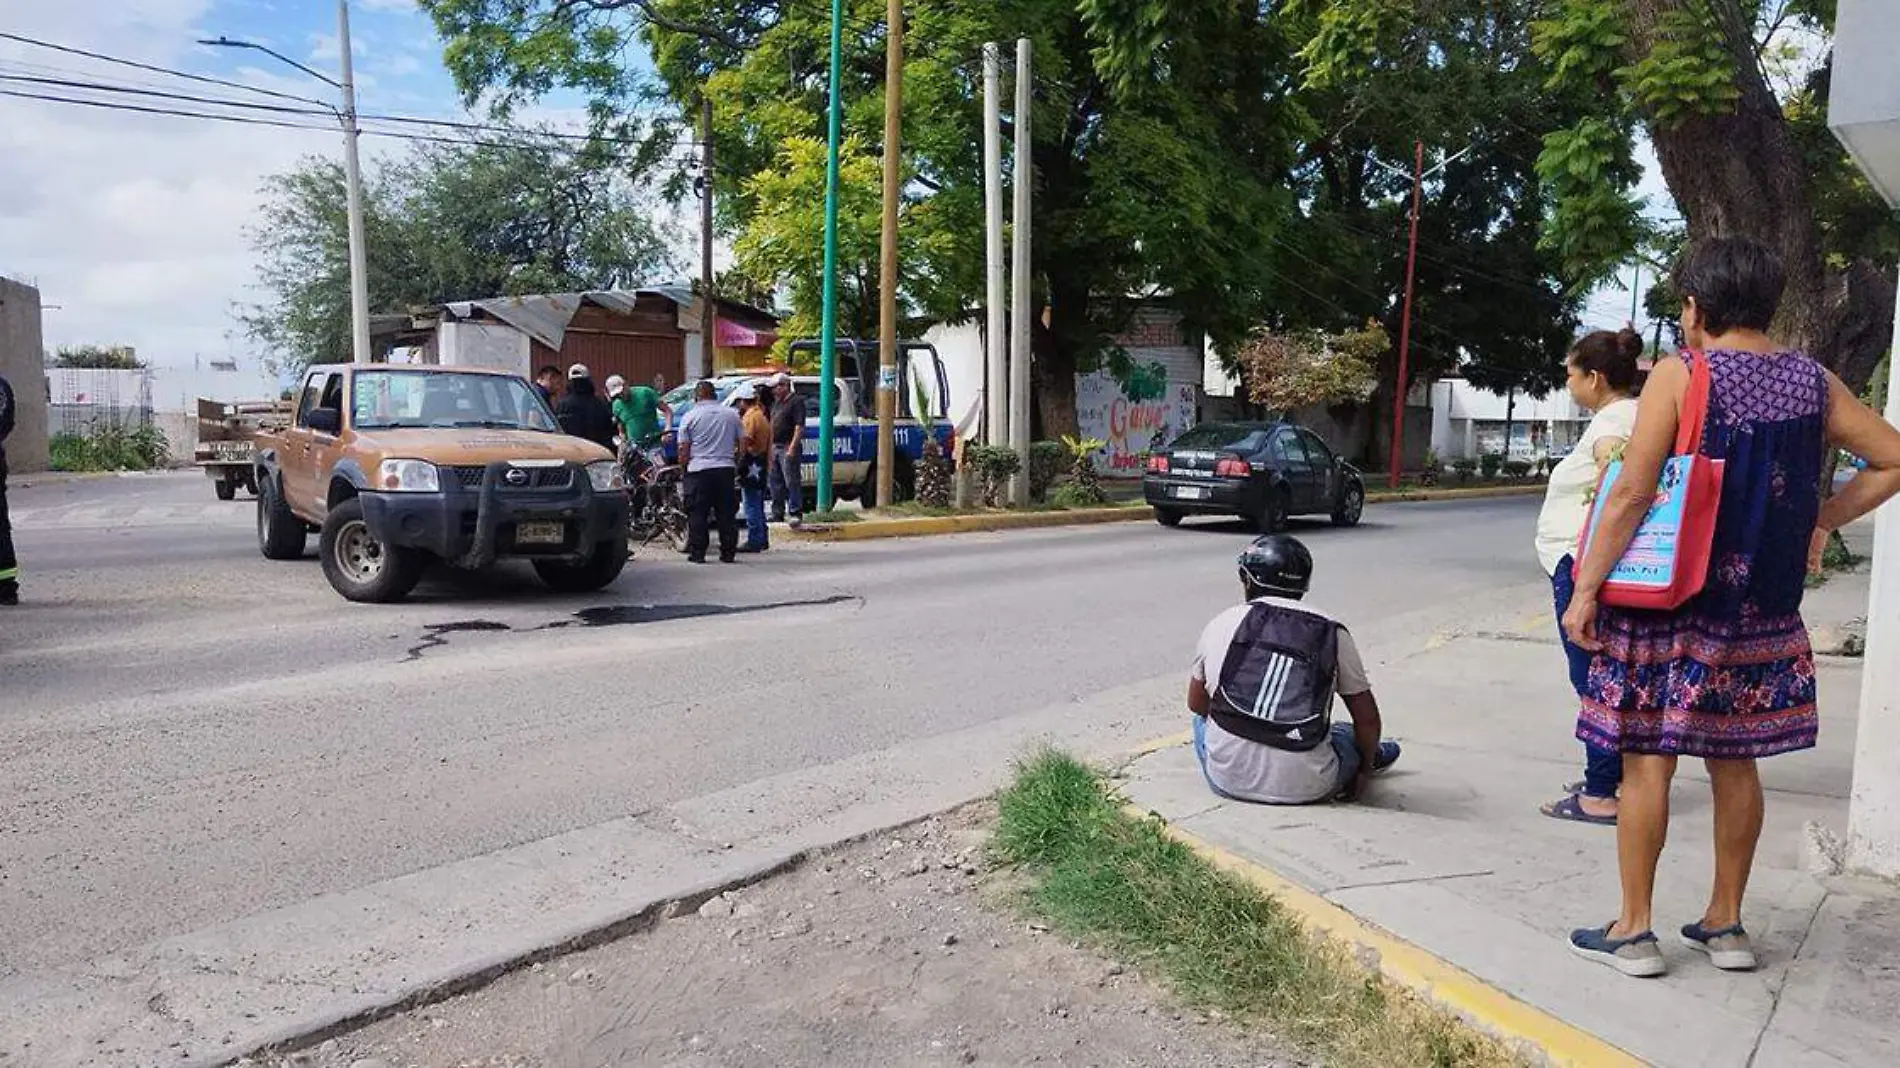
(136, 227)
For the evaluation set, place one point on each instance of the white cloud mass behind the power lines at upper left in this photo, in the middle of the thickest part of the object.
(134, 225)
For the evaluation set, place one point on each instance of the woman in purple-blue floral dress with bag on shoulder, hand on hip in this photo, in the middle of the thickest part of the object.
(1728, 677)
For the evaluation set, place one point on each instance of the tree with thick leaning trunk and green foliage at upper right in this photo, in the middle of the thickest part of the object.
(1692, 77)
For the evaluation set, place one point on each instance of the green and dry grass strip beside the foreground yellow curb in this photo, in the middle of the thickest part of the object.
(1097, 873)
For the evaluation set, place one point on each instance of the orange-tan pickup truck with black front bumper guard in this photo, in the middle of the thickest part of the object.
(392, 467)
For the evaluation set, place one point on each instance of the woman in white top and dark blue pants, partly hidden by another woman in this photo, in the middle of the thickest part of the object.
(1603, 377)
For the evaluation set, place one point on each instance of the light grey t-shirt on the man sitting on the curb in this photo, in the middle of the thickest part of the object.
(1257, 772)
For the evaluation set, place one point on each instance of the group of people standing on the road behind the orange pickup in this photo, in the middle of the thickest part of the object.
(734, 457)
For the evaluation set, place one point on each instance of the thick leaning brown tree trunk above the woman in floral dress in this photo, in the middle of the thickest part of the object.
(1741, 174)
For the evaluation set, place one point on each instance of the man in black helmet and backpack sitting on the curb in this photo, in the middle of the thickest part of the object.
(1264, 679)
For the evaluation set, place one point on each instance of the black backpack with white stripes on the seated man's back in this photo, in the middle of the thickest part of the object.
(1278, 681)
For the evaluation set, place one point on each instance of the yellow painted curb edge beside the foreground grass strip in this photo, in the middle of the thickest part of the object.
(1415, 968)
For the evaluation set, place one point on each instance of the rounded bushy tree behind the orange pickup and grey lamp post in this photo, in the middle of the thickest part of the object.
(446, 223)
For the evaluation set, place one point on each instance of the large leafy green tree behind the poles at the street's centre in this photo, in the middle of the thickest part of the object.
(1150, 174)
